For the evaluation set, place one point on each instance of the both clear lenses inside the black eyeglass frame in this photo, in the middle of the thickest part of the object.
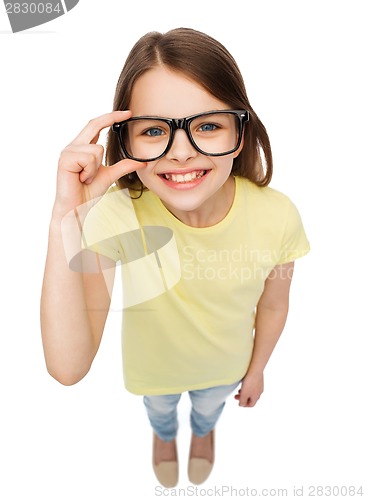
(211, 133)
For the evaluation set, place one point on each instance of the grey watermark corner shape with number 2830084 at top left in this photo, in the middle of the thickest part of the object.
(28, 14)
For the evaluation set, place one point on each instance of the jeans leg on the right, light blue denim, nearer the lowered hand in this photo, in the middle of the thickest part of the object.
(207, 406)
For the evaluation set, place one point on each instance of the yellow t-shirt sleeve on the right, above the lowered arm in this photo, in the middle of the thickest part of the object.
(294, 243)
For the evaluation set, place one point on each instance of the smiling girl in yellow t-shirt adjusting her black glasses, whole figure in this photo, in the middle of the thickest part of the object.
(206, 248)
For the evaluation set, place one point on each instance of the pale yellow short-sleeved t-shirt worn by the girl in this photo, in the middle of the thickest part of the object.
(190, 293)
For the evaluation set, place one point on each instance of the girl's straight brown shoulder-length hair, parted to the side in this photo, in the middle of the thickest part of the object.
(206, 61)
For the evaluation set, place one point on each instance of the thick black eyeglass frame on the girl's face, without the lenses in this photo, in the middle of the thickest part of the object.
(183, 124)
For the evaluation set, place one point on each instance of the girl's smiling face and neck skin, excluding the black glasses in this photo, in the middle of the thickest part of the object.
(209, 189)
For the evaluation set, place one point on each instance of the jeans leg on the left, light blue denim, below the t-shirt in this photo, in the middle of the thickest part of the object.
(162, 413)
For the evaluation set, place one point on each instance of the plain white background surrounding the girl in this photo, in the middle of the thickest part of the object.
(302, 64)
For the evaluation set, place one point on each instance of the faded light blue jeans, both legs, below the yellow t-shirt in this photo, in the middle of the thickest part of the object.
(207, 406)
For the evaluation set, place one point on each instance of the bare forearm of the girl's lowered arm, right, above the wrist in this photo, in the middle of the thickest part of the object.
(270, 323)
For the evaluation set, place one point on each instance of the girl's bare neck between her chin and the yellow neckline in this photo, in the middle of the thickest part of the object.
(210, 212)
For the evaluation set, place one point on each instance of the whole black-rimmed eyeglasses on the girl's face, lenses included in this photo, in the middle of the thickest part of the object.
(214, 133)
